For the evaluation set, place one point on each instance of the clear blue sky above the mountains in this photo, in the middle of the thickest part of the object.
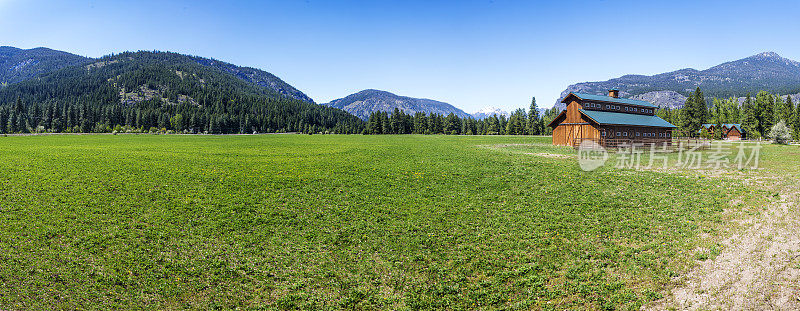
(471, 54)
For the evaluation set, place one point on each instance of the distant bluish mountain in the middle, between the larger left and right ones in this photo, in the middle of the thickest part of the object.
(363, 103)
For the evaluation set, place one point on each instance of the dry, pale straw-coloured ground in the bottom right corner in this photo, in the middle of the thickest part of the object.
(758, 269)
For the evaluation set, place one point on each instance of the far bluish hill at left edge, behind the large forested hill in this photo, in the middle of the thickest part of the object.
(18, 65)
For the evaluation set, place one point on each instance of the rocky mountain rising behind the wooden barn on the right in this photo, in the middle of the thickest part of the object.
(765, 71)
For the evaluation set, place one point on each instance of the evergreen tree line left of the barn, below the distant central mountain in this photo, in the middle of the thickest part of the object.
(519, 122)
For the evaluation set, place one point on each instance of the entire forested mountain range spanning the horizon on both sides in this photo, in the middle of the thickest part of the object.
(131, 78)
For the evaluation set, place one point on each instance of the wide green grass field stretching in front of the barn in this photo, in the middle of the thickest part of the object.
(354, 222)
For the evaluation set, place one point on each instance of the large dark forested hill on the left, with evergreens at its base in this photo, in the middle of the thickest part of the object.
(163, 90)
